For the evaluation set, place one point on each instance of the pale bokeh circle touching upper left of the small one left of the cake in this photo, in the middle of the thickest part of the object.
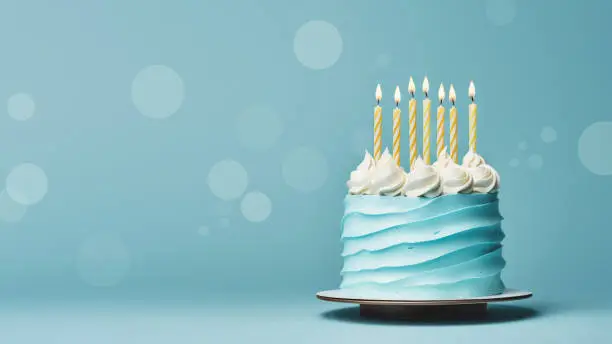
(227, 179)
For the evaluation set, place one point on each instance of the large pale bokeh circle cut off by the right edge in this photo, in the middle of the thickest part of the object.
(593, 149)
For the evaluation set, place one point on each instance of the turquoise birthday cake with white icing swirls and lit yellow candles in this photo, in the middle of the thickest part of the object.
(432, 232)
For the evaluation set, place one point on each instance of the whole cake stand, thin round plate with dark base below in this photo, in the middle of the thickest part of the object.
(392, 308)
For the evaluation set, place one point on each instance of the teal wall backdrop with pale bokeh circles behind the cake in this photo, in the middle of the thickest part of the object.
(174, 149)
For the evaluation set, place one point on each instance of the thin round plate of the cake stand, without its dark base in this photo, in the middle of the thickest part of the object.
(510, 295)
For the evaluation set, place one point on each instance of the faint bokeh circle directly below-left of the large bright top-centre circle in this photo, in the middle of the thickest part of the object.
(259, 127)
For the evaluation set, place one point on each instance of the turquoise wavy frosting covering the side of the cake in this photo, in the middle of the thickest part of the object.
(423, 248)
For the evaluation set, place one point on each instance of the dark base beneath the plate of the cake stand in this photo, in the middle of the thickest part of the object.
(393, 312)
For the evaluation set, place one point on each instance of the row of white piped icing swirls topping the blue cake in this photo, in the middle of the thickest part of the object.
(385, 178)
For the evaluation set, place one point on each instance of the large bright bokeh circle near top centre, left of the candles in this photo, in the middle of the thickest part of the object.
(317, 44)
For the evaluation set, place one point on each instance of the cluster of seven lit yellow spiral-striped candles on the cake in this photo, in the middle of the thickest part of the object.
(412, 132)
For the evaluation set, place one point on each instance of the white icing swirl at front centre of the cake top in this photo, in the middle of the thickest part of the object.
(422, 181)
